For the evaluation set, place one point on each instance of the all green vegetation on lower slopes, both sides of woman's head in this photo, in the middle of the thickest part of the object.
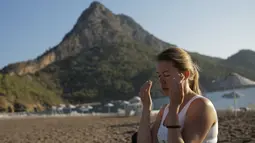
(101, 73)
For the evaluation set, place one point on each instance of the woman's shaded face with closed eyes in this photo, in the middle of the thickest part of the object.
(167, 74)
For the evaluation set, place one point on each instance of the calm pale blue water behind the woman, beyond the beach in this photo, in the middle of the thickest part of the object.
(218, 101)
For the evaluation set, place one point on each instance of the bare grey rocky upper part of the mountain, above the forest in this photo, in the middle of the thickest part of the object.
(96, 26)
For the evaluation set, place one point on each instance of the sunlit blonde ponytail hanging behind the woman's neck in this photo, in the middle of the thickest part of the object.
(194, 83)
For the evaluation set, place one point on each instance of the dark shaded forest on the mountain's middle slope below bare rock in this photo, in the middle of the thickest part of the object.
(114, 71)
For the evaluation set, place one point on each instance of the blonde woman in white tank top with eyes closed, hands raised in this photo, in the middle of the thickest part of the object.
(189, 117)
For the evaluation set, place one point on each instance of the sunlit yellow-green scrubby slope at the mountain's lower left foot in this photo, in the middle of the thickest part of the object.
(25, 93)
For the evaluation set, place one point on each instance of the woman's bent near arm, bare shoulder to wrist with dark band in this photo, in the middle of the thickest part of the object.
(199, 119)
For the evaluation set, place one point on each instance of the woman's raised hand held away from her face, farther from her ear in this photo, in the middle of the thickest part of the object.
(145, 95)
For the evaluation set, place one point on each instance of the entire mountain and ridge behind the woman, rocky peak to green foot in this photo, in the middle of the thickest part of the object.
(105, 56)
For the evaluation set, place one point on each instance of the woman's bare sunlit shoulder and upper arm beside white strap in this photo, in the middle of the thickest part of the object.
(200, 117)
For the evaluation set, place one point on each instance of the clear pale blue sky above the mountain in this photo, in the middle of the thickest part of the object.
(217, 28)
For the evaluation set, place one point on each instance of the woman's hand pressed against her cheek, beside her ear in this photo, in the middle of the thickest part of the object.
(176, 86)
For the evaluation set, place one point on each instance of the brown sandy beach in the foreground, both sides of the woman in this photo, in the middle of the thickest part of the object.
(109, 129)
